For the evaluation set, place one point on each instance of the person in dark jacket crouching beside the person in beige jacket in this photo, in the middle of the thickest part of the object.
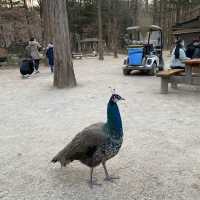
(26, 68)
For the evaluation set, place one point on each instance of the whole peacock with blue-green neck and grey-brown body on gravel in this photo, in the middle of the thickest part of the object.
(97, 143)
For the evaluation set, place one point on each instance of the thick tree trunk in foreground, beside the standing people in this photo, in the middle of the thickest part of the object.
(64, 73)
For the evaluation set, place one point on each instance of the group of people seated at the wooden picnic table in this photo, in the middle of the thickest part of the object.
(180, 53)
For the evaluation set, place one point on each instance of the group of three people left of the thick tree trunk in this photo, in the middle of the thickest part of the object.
(30, 64)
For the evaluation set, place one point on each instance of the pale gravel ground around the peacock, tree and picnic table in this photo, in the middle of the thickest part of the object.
(159, 159)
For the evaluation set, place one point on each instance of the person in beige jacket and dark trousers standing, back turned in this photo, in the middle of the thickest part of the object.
(34, 47)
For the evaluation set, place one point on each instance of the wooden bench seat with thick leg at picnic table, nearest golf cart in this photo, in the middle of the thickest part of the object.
(165, 78)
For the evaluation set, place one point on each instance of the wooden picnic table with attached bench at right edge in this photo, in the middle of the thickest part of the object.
(191, 75)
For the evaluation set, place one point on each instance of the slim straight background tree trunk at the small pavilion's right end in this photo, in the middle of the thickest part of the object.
(101, 57)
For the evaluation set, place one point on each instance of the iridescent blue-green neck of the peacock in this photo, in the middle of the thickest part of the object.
(114, 121)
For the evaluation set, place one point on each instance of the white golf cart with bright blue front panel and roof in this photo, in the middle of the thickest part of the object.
(144, 50)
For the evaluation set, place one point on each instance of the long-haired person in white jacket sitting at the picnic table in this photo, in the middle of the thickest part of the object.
(178, 56)
